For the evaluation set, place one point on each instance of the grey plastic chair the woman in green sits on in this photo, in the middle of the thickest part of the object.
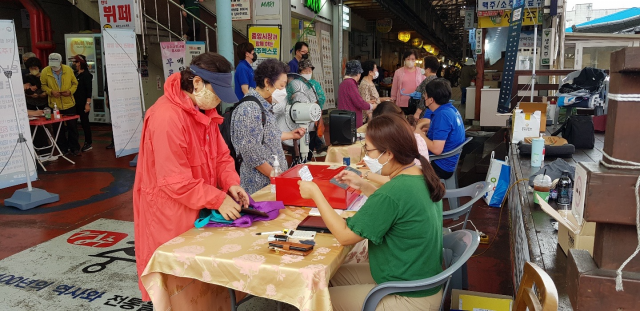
(457, 249)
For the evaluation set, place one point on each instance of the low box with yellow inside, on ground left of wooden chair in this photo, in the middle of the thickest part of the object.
(468, 300)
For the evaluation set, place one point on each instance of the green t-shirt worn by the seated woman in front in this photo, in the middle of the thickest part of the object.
(404, 228)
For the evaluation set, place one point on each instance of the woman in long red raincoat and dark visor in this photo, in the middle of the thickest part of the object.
(184, 164)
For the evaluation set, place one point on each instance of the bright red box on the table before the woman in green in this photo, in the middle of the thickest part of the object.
(288, 191)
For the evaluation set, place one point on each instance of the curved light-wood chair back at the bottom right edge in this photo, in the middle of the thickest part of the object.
(546, 298)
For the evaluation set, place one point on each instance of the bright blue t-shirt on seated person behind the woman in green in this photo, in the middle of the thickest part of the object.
(447, 125)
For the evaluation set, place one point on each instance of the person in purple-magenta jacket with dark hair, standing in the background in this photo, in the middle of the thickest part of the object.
(348, 95)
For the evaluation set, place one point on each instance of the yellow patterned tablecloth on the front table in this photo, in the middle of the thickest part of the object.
(187, 272)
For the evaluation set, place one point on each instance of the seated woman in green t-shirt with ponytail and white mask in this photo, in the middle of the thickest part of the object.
(402, 220)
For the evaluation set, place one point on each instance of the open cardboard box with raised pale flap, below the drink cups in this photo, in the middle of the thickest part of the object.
(571, 235)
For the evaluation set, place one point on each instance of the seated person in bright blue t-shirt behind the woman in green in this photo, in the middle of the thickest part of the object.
(446, 129)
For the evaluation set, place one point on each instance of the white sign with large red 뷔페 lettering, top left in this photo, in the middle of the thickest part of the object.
(119, 14)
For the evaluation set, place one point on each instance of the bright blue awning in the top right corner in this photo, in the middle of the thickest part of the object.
(613, 23)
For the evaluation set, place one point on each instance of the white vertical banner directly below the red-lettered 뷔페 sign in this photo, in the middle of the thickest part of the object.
(124, 89)
